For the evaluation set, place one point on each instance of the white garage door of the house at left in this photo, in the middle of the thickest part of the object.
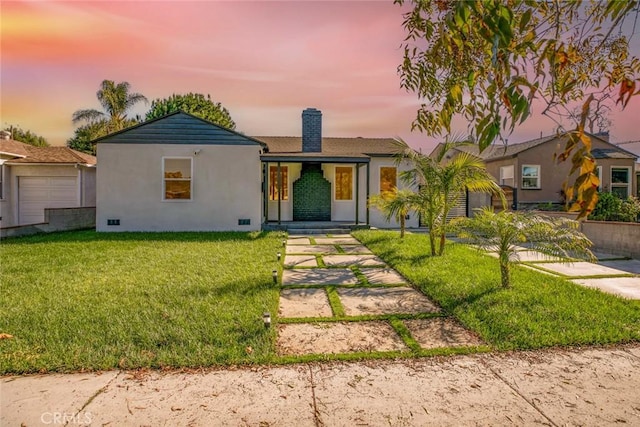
(35, 193)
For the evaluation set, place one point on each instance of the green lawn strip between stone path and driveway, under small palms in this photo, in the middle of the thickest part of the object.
(538, 311)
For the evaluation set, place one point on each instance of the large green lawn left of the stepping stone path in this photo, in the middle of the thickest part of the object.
(84, 300)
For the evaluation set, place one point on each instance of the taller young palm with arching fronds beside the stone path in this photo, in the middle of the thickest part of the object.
(442, 181)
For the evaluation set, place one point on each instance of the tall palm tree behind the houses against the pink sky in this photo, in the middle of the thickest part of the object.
(116, 100)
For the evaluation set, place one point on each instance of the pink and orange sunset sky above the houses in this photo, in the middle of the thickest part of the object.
(265, 61)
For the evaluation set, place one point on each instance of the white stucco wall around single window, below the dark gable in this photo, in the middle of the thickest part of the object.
(226, 187)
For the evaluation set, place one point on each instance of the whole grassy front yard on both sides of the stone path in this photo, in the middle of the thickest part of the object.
(88, 301)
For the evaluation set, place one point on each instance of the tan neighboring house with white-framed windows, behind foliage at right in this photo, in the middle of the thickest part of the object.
(530, 169)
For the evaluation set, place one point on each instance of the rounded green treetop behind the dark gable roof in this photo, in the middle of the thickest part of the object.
(194, 103)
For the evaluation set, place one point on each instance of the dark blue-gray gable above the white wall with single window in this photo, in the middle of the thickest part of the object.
(178, 128)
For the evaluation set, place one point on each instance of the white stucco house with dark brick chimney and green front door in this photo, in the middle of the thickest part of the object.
(182, 173)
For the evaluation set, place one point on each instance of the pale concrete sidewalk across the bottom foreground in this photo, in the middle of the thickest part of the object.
(592, 387)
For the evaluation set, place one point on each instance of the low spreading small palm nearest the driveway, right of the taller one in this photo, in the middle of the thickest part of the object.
(501, 232)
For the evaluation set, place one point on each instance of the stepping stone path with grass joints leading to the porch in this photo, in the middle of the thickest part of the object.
(337, 297)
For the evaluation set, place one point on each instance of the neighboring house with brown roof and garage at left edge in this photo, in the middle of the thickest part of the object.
(35, 178)
